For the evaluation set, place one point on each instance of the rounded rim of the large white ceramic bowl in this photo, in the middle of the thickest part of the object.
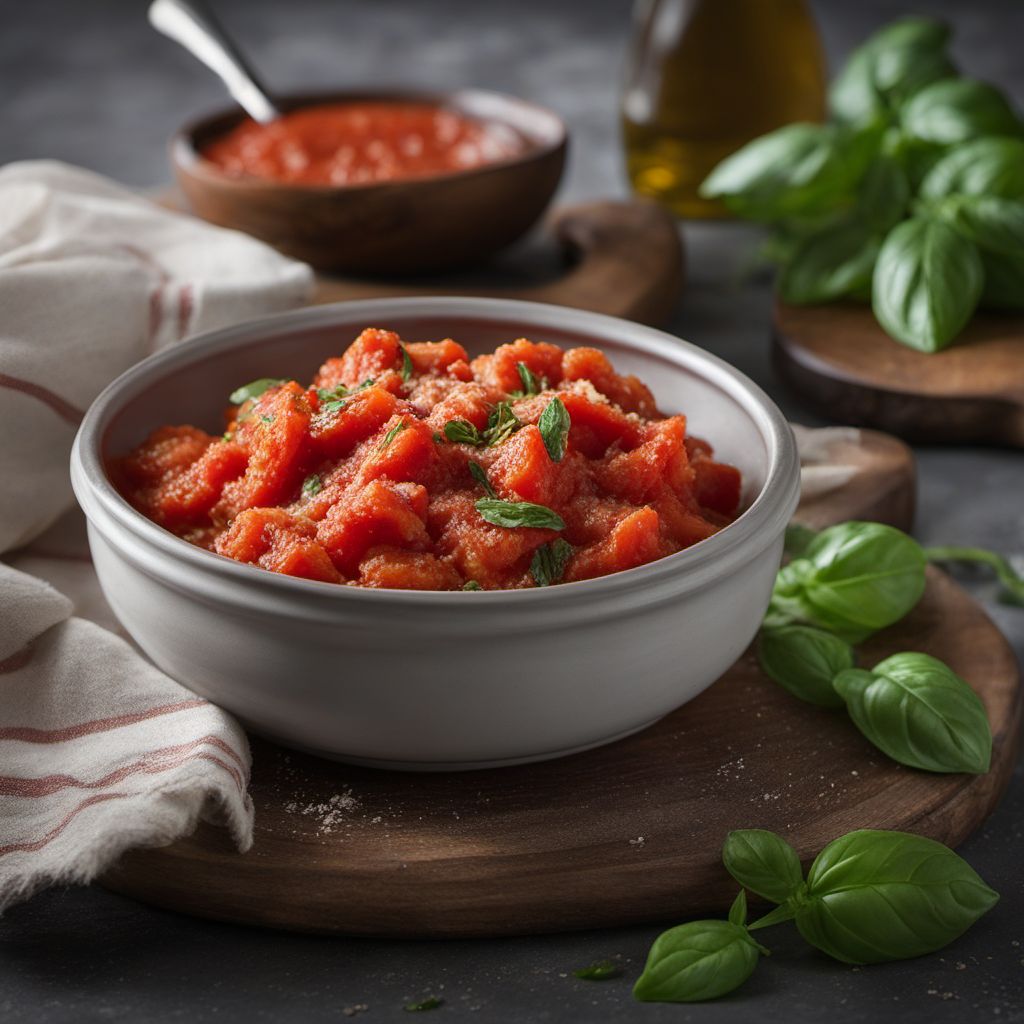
(758, 527)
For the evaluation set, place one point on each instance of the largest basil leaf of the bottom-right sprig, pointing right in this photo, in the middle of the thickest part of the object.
(876, 897)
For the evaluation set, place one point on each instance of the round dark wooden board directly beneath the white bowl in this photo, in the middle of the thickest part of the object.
(624, 834)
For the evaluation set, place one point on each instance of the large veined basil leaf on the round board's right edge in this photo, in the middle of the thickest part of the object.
(917, 710)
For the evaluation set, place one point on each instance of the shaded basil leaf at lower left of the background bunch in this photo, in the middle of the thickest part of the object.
(832, 265)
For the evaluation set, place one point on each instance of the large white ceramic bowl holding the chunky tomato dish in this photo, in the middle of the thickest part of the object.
(416, 680)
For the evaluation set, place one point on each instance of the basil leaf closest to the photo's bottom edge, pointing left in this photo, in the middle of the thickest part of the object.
(699, 961)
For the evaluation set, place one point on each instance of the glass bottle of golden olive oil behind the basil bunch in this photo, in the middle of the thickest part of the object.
(704, 77)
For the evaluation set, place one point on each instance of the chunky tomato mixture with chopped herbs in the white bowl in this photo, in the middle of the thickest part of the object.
(409, 465)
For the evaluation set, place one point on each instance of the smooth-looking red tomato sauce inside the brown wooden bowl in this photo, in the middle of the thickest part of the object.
(355, 144)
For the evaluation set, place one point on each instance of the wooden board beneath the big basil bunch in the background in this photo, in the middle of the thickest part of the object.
(844, 366)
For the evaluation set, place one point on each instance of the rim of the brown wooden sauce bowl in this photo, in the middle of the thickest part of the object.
(188, 158)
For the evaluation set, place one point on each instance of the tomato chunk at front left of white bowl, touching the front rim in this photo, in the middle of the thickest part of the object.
(275, 540)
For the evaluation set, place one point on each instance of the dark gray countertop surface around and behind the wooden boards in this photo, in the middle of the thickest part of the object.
(89, 82)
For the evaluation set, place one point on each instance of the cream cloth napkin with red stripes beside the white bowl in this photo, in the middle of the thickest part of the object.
(100, 752)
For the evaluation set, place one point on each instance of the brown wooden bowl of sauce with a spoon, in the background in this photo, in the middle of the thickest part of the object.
(405, 227)
